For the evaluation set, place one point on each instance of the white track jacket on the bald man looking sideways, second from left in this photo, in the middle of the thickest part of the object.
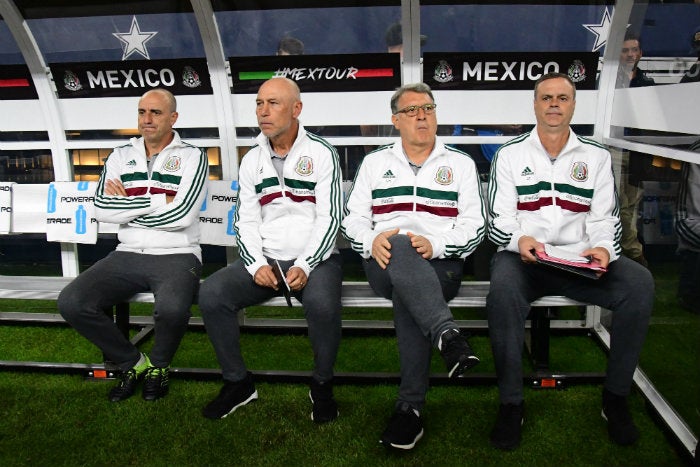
(297, 219)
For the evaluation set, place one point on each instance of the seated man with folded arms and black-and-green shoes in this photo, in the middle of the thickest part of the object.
(153, 188)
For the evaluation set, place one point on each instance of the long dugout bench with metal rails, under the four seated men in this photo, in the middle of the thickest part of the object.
(354, 295)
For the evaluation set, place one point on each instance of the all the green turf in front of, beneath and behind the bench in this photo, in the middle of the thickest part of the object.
(66, 420)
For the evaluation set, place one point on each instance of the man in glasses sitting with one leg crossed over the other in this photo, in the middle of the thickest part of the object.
(414, 213)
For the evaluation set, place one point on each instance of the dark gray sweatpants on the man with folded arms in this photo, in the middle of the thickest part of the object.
(173, 279)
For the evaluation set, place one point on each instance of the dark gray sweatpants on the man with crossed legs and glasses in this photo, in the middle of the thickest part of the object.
(419, 290)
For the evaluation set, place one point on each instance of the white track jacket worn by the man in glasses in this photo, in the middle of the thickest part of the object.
(442, 202)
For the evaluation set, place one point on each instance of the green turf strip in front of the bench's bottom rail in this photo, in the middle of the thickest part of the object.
(60, 420)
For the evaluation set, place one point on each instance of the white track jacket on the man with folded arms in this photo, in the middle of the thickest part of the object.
(148, 224)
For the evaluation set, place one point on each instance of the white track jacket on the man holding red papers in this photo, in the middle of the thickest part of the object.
(571, 202)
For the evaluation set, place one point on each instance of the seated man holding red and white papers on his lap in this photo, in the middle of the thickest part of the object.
(553, 187)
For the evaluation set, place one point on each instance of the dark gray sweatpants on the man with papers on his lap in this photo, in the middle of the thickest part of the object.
(627, 289)
